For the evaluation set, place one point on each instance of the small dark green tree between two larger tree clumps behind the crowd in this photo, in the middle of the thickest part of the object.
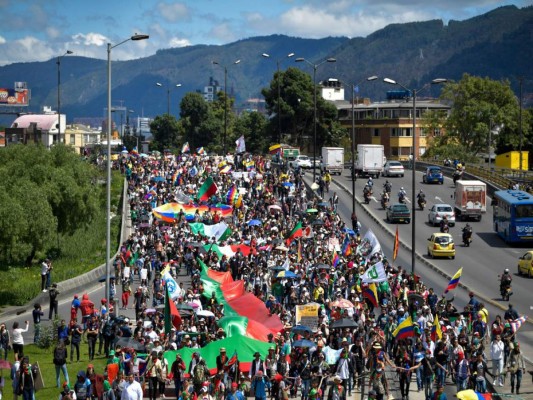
(252, 125)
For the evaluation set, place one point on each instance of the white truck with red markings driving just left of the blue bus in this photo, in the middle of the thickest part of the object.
(470, 200)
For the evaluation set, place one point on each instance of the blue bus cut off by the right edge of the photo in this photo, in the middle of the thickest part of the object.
(513, 215)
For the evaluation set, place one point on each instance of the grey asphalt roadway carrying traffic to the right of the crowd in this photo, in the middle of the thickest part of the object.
(385, 234)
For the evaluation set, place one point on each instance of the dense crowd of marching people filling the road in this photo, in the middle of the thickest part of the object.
(354, 339)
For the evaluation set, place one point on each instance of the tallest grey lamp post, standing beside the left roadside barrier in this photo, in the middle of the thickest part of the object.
(108, 186)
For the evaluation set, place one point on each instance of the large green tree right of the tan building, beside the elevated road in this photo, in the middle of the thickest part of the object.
(478, 104)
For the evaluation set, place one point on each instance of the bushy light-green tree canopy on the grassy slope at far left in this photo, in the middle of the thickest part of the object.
(43, 193)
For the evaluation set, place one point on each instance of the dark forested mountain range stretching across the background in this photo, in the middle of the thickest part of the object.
(497, 44)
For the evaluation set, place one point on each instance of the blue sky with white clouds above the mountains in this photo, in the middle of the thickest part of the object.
(38, 30)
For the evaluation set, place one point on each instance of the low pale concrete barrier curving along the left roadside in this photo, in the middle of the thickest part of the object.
(81, 281)
